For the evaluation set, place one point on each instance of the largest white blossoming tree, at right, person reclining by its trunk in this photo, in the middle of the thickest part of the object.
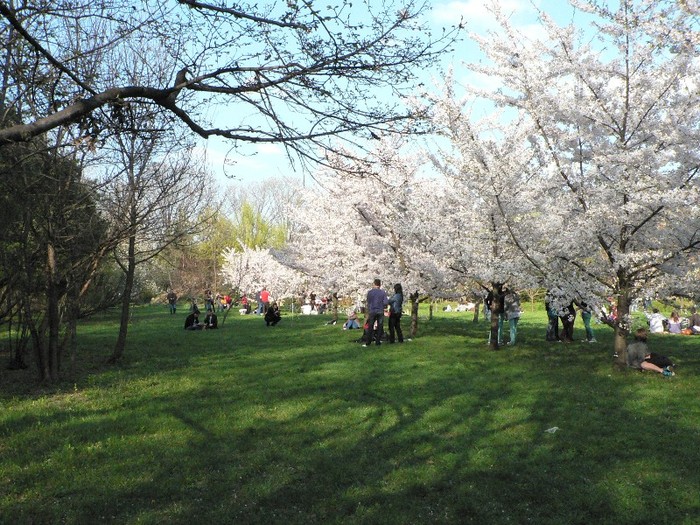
(605, 125)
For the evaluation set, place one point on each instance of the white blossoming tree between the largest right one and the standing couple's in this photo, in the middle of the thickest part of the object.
(489, 233)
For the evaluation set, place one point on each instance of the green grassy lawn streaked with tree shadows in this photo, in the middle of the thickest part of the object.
(299, 424)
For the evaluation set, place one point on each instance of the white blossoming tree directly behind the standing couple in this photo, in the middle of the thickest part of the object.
(373, 217)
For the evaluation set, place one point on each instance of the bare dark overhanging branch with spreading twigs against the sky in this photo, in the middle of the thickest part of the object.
(295, 73)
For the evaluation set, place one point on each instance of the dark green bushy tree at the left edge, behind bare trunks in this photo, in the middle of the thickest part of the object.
(51, 234)
